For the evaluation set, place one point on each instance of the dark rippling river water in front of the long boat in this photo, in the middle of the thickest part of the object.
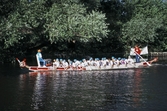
(141, 89)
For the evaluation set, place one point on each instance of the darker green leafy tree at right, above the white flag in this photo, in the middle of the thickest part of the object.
(147, 18)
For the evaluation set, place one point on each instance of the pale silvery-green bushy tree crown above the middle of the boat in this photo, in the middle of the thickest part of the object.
(71, 22)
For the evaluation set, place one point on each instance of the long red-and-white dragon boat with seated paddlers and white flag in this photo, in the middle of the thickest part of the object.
(90, 65)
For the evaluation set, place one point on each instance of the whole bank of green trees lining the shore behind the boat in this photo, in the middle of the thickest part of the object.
(81, 25)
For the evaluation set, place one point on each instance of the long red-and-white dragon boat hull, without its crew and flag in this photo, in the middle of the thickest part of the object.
(52, 67)
